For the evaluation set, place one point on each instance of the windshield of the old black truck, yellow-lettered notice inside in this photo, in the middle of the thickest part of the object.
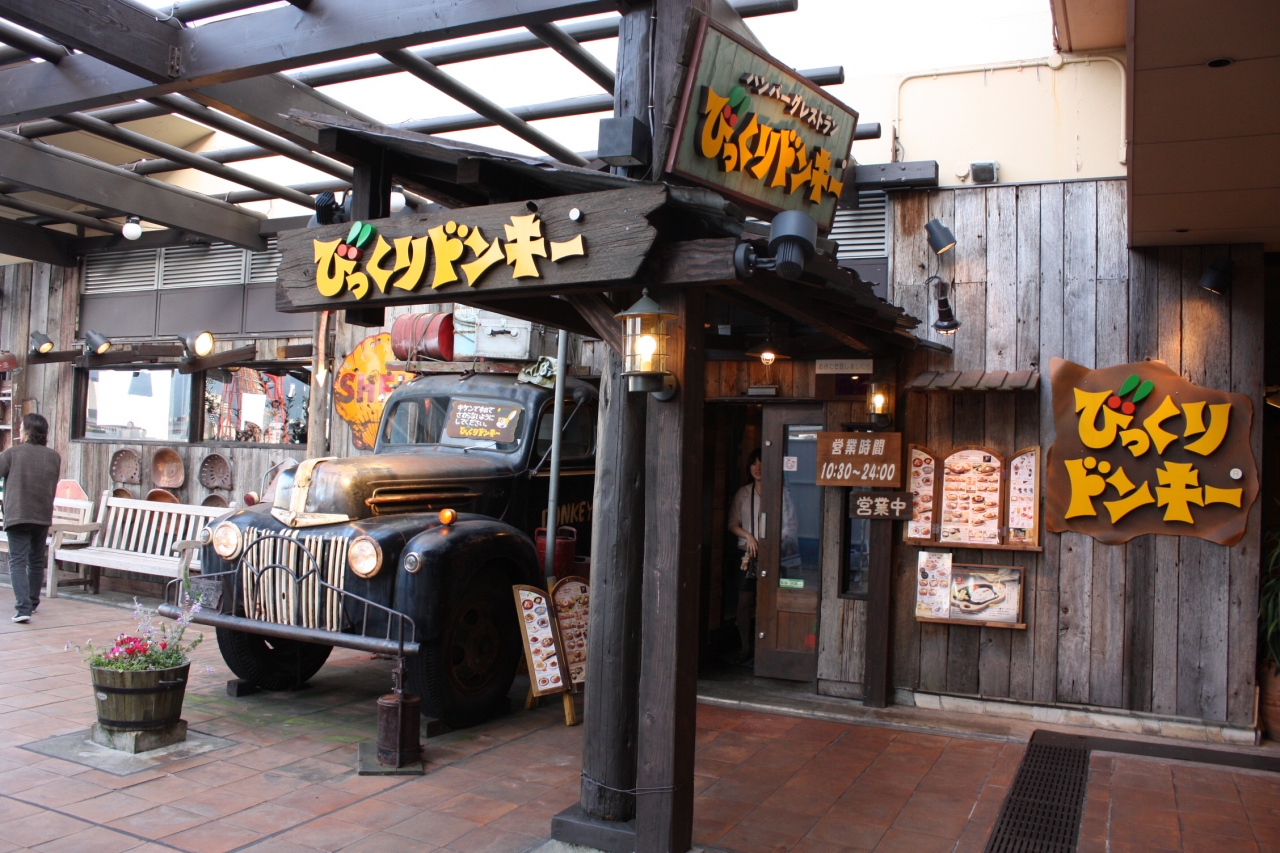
(456, 422)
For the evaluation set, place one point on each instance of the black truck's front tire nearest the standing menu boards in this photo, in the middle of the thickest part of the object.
(465, 674)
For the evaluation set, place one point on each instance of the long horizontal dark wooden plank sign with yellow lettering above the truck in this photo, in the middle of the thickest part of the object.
(534, 247)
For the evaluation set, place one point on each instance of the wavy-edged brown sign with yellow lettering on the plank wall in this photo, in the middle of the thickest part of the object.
(1141, 450)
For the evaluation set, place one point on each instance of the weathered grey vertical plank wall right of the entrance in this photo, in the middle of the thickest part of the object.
(1162, 624)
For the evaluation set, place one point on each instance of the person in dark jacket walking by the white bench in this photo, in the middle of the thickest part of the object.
(30, 473)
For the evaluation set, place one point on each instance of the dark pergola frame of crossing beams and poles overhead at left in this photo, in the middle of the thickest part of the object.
(76, 72)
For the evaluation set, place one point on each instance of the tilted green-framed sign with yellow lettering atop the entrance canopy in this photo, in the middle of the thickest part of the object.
(752, 129)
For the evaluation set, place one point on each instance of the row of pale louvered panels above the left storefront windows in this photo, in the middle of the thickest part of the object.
(199, 266)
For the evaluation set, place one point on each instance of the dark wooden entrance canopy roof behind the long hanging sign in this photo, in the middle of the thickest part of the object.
(698, 232)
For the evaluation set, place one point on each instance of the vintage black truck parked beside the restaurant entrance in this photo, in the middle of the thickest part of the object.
(415, 548)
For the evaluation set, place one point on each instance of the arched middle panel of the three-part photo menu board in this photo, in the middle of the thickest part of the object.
(972, 498)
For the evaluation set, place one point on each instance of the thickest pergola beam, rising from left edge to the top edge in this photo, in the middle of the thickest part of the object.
(268, 43)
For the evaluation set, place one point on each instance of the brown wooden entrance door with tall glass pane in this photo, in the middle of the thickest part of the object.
(787, 605)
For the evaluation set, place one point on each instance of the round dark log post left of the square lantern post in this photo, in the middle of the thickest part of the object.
(614, 632)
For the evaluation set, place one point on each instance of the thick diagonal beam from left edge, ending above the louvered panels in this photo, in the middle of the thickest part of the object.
(92, 183)
